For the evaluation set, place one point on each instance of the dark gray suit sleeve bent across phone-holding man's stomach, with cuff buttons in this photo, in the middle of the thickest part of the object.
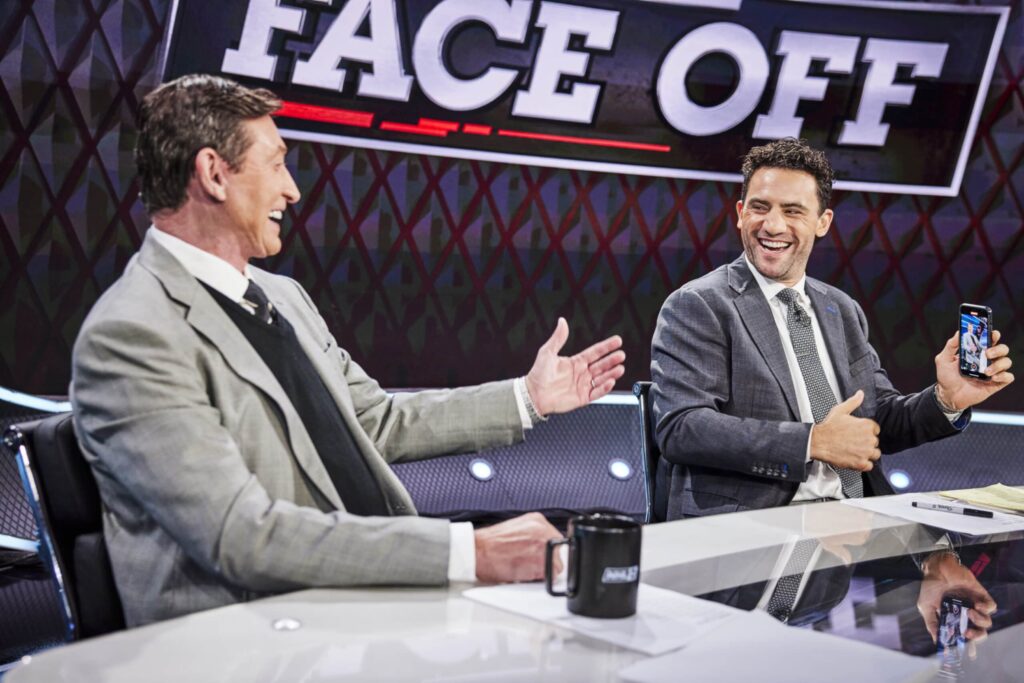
(694, 403)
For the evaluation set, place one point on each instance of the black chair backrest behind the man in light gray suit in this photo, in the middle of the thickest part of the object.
(66, 504)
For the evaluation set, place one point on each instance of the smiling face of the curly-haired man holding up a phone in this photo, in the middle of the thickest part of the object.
(779, 222)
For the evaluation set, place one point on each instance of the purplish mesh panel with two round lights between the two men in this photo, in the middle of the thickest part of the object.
(589, 460)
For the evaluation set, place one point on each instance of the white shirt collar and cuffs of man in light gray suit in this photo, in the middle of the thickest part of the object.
(228, 280)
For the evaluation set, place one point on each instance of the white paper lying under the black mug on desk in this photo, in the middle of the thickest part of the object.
(665, 620)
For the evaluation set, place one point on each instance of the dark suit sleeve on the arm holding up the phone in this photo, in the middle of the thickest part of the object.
(905, 420)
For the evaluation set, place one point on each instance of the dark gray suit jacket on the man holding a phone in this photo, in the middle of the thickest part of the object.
(724, 404)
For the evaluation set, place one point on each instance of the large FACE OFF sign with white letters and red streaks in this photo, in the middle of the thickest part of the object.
(893, 92)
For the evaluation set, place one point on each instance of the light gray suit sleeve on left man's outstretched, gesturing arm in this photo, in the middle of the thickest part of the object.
(413, 425)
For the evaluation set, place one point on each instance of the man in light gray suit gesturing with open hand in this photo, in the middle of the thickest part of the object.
(238, 450)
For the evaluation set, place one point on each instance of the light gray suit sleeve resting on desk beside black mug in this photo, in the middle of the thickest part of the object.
(150, 425)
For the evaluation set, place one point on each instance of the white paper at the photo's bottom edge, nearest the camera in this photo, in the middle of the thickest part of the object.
(760, 649)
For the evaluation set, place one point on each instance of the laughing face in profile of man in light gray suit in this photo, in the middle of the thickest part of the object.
(260, 192)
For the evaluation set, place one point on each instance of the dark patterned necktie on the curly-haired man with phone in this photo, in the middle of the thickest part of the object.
(823, 399)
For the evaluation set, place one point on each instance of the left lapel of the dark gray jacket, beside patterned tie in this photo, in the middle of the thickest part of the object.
(760, 324)
